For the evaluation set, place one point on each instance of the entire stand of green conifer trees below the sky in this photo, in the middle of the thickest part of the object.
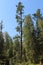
(27, 45)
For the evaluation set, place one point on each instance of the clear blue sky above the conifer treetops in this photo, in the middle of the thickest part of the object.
(8, 12)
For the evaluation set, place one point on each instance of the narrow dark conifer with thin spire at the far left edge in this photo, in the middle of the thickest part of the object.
(1, 40)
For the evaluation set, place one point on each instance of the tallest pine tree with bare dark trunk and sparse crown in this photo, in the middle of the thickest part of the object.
(19, 13)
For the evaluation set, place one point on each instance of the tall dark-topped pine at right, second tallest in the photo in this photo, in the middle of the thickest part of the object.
(36, 34)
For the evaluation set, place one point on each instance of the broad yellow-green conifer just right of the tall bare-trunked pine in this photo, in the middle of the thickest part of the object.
(27, 31)
